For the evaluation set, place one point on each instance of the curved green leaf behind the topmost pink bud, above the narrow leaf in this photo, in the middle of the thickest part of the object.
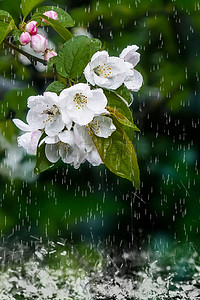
(63, 17)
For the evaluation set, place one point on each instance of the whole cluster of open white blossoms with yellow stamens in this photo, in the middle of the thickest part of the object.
(70, 119)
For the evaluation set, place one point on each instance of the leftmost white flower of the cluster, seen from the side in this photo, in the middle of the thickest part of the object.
(30, 139)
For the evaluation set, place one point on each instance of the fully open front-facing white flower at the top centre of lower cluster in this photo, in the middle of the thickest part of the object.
(81, 104)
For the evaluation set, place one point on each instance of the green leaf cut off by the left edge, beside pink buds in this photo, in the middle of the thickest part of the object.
(7, 24)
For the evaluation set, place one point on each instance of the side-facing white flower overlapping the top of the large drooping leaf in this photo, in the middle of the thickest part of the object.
(101, 126)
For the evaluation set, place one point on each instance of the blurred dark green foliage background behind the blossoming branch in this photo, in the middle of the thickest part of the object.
(91, 205)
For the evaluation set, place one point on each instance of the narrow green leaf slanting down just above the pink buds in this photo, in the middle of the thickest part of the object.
(64, 32)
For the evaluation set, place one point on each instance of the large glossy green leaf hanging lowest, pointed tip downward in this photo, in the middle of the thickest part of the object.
(118, 154)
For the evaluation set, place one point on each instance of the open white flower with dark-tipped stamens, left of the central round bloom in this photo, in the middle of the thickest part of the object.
(45, 113)
